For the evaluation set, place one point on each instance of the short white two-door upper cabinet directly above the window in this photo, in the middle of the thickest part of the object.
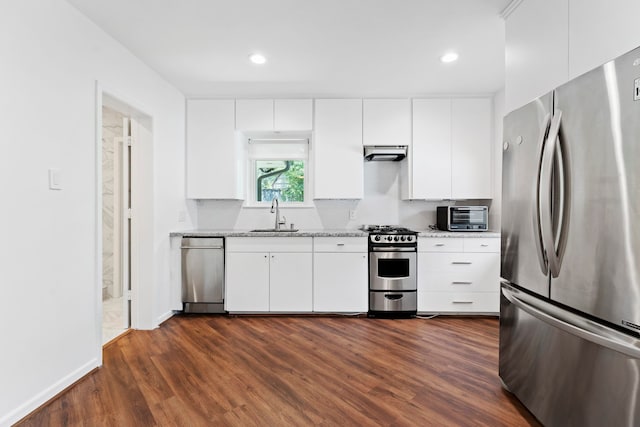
(274, 115)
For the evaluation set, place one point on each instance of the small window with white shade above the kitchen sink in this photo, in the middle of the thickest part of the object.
(278, 168)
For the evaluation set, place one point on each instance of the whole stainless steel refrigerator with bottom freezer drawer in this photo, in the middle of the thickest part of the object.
(570, 293)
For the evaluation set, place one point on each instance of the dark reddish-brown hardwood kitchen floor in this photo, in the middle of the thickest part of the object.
(295, 371)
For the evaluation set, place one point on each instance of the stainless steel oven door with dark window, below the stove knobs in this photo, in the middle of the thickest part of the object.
(392, 271)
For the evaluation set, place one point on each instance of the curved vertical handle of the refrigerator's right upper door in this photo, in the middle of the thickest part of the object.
(545, 193)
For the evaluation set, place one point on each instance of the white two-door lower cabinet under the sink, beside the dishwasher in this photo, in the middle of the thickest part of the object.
(266, 274)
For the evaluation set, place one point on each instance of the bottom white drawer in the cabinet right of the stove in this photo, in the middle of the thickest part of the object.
(458, 302)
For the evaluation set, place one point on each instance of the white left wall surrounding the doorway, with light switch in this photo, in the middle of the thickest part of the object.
(52, 57)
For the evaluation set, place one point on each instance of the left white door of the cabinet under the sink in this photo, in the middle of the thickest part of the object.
(247, 284)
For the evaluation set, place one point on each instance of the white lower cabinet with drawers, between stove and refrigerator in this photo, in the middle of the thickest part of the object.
(464, 281)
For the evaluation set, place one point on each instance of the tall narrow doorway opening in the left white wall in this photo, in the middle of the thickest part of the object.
(116, 223)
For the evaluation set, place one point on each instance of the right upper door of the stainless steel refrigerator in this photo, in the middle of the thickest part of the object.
(599, 271)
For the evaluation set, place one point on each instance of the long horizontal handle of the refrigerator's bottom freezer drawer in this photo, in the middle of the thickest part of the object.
(573, 324)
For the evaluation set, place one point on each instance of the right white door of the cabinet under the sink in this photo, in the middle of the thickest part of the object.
(291, 282)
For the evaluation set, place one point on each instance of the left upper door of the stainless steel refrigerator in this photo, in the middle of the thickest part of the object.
(522, 260)
